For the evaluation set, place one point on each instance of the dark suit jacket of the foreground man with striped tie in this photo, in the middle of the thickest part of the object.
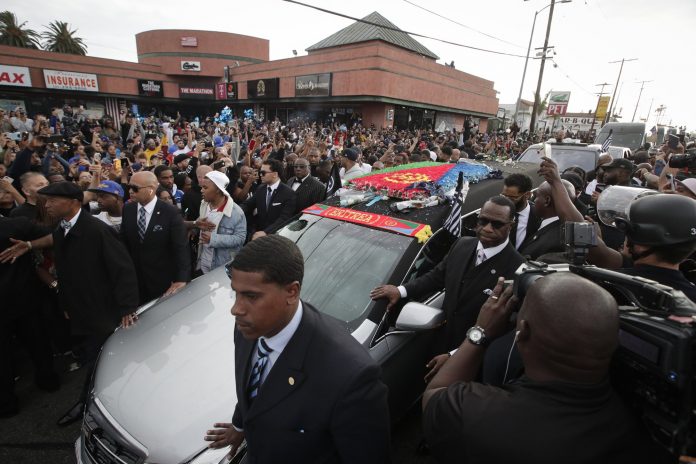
(322, 401)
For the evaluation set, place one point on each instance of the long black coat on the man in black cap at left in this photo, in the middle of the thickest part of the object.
(95, 275)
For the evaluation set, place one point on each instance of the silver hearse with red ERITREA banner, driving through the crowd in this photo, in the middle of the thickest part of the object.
(159, 385)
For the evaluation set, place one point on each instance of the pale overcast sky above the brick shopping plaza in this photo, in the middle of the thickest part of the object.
(587, 35)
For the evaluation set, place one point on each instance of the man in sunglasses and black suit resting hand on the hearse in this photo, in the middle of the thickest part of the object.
(468, 273)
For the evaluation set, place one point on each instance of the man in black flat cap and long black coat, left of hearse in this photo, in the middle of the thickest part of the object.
(95, 275)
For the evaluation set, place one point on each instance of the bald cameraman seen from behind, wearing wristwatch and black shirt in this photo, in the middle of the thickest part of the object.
(562, 410)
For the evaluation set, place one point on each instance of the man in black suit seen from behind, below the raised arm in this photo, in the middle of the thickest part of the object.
(547, 239)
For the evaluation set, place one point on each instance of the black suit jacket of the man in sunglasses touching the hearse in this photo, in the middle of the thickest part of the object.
(464, 284)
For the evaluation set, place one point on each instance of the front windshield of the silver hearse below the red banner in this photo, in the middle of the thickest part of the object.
(343, 262)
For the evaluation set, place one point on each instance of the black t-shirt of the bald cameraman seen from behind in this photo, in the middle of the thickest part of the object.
(532, 422)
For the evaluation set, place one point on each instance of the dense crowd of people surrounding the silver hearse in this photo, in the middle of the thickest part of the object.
(105, 220)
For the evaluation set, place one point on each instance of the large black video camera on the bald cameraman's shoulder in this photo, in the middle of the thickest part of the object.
(653, 366)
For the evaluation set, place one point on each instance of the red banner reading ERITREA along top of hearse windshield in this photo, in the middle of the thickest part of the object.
(377, 221)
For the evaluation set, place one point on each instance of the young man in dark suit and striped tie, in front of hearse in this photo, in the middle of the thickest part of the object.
(307, 391)
